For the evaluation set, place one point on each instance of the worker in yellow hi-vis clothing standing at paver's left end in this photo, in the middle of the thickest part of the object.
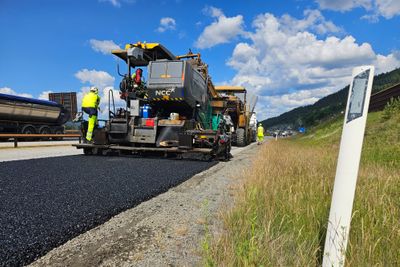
(90, 105)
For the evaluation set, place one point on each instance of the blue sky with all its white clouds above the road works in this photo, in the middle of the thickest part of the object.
(288, 54)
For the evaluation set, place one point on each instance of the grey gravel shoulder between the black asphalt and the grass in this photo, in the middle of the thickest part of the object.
(164, 231)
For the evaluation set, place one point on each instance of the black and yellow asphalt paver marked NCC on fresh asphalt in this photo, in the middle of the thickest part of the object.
(175, 111)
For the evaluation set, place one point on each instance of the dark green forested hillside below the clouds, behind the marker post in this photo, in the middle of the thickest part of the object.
(328, 106)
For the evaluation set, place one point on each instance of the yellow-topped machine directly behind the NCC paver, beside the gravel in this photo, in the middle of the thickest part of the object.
(240, 110)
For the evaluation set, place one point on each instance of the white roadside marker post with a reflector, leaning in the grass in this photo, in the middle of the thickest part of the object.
(347, 167)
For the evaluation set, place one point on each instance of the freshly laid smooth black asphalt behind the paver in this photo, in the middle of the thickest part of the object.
(46, 202)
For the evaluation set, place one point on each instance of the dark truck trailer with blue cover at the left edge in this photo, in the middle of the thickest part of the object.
(31, 116)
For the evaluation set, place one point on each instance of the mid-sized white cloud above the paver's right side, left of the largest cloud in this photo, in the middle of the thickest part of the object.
(222, 30)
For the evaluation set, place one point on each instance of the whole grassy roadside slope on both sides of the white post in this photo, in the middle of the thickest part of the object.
(281, 212)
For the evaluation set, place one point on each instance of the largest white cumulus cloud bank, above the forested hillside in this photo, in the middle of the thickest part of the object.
(292, 62)
